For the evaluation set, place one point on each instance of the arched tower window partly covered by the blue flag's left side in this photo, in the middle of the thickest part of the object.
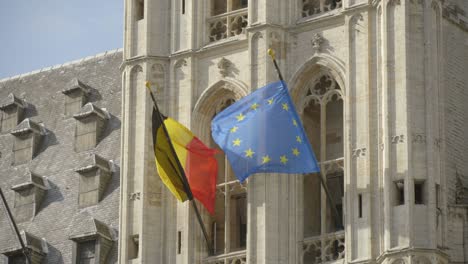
(227, 228)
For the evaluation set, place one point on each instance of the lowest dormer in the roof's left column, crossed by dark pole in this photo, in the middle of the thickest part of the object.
(36, 246)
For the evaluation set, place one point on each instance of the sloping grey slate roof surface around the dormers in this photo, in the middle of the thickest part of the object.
(43, 92)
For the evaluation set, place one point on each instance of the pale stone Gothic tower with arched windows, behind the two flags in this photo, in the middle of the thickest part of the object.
(381, 91)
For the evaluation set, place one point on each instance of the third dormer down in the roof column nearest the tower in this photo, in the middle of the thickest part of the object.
(95, 173)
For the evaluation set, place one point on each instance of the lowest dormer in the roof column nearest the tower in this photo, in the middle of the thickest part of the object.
(91, 231)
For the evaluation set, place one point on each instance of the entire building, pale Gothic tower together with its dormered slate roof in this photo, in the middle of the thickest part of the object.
(381, 89)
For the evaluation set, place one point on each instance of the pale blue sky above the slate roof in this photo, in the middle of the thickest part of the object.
(40, 33)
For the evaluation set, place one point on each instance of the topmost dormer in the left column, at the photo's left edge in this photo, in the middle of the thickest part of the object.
(12, 112)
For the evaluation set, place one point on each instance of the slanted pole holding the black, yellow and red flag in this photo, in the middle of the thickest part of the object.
(182, 175)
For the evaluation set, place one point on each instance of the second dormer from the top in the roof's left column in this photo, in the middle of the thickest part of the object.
(28, 137)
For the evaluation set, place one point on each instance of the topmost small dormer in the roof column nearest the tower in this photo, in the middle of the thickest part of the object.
(76, 96)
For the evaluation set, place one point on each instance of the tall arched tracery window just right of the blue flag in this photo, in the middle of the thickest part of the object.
(323, 121)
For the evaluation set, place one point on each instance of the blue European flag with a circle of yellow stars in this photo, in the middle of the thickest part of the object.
(263, 133)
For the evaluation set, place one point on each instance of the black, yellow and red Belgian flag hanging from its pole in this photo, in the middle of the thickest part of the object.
(197, 160)
